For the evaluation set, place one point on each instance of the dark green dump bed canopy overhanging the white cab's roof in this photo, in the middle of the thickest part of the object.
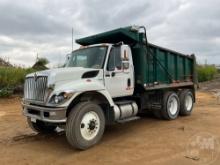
(127, 34)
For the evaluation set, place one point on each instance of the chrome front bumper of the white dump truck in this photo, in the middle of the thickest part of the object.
(47, 114)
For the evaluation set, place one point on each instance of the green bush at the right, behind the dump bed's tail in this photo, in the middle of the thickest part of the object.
(206, 73)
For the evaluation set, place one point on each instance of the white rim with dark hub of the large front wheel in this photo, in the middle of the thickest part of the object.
(90, 125)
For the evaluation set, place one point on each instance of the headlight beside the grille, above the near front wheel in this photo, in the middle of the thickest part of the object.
(60, 98)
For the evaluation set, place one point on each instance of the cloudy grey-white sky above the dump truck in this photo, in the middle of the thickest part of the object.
(43, 27)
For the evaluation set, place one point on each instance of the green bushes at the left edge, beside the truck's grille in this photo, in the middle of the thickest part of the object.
(10, 77)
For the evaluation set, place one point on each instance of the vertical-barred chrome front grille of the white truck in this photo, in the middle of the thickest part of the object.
(35, 88)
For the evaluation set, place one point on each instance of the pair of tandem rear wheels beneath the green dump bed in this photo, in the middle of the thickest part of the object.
(174, 104)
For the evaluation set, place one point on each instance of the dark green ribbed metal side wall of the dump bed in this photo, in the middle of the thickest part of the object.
(161, 66)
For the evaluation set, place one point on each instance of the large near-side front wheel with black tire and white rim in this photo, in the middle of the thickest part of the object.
(85, 125)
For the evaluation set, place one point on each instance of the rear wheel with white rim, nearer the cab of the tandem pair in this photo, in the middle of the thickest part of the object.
(171, 106)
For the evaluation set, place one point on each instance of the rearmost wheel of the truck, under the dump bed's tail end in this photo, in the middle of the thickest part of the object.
(186, 102)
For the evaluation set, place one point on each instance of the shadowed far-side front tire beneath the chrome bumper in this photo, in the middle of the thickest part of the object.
(40, 126)
